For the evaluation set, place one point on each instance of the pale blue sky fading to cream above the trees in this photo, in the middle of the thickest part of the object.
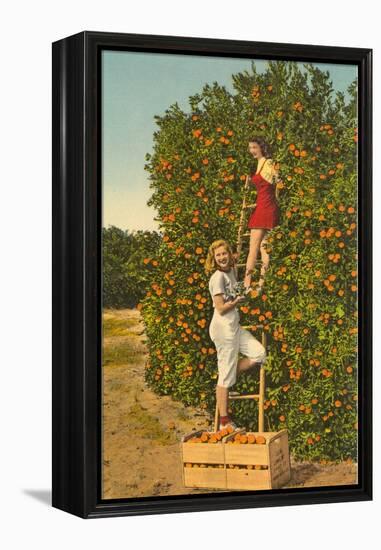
(136, 86)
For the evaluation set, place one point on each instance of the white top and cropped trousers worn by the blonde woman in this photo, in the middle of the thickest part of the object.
(227, 334)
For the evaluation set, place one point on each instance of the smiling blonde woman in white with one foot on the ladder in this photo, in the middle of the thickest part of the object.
(224, 329)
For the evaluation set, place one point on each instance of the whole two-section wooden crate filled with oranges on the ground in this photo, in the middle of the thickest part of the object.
(232, 466)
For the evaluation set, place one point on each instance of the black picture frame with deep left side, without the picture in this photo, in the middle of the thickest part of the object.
(76, 274)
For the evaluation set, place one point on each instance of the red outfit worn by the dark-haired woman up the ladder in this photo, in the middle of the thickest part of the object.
(266, 213)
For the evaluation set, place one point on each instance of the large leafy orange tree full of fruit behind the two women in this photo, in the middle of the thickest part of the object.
(309, 308)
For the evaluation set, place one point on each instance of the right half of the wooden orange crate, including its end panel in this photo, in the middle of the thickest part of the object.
(271, 459)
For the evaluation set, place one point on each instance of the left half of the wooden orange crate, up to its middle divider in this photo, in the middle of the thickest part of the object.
(213, 474)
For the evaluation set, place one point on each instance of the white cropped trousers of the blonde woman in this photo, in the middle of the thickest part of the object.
(228, 346)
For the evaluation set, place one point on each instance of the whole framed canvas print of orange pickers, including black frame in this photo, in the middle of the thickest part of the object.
(212, 260)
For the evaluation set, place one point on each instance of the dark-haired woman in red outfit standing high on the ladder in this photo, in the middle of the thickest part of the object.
(266, 214)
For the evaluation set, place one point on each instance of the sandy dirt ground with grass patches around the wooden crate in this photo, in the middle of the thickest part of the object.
(142, 431)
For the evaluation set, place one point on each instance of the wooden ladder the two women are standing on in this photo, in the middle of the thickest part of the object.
(235, 395)
